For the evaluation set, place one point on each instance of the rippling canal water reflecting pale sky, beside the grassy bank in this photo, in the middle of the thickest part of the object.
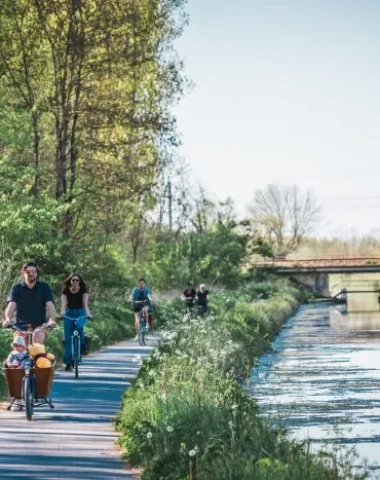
(321, 378)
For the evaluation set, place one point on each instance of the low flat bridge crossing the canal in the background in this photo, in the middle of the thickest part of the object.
(314, 272)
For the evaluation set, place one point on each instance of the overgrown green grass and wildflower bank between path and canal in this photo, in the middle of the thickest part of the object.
(187, 415)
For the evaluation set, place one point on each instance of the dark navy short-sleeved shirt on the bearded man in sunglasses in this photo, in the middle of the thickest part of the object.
(30, 303)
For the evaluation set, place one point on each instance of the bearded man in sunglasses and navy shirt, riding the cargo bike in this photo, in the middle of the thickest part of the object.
(30, 299)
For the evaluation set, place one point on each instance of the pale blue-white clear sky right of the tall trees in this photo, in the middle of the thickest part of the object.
(287, 92)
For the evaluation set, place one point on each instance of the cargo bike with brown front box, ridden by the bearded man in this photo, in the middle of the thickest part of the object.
(29, 387)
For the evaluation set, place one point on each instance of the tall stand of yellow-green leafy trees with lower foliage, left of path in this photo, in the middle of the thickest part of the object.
(86, 125)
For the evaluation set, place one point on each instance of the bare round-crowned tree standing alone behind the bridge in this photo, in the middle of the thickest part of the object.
(284, 215)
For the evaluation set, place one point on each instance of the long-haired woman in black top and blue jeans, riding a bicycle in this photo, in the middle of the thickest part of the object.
(74, 306)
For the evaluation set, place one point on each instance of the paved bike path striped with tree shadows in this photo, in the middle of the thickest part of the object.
(76, 439)
